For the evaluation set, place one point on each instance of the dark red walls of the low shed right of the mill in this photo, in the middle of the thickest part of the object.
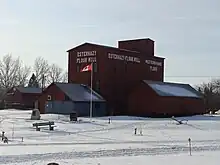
(144, 101)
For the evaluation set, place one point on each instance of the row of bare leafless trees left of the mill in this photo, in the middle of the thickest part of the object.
(13, 72)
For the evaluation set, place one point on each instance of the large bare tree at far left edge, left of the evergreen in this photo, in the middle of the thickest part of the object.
(12, 72)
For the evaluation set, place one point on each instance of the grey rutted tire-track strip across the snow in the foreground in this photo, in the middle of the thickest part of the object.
(104, 153)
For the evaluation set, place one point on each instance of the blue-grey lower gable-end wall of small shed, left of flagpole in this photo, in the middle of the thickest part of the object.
(59, 107)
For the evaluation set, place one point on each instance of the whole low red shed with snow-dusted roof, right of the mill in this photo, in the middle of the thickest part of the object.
(163, 99)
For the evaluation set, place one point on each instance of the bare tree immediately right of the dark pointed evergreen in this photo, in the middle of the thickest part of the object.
(41, 70)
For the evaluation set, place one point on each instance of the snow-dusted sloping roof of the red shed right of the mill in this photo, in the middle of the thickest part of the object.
(173, 89)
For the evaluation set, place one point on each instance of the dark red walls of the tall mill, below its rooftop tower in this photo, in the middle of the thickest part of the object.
(117, 77)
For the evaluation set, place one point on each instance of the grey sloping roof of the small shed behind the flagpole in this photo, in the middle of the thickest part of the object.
(79, 92)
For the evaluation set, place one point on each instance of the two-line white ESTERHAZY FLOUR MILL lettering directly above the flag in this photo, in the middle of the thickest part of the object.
(86, 57)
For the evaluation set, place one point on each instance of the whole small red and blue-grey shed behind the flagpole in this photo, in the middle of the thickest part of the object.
(66, 98)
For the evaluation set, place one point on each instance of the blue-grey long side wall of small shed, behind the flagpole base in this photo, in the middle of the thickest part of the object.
(83, 108)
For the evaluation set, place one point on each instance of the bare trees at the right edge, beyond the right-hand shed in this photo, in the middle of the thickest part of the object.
(211, 93)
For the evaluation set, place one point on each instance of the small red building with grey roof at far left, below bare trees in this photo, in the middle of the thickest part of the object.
(21, 97)
